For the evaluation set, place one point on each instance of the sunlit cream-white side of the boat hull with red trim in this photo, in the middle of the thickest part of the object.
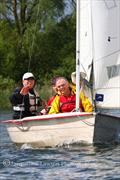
(53, 130)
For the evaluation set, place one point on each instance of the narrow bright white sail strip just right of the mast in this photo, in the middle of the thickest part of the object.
(85, 38)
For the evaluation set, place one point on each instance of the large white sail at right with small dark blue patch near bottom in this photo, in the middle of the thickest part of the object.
(106, 36)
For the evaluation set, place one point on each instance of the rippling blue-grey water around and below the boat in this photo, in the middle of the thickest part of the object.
(73, 162)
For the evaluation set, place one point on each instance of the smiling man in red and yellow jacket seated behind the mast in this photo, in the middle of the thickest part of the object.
(66, 99)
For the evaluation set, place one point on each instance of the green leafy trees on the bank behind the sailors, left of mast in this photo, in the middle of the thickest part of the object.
(37, 36)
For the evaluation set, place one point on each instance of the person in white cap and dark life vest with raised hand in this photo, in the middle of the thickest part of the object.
(25, 100)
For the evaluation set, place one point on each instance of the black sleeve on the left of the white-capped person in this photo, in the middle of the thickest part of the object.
(16, 97)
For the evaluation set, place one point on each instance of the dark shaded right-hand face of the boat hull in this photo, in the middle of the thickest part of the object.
(107, 129)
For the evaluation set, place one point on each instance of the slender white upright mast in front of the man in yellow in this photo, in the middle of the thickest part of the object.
(77, 54)
